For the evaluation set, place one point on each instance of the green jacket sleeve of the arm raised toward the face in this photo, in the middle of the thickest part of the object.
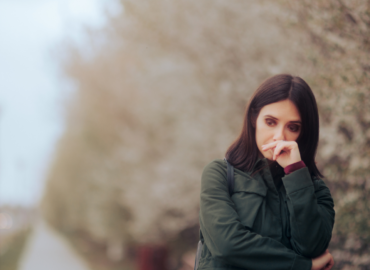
(311, 210)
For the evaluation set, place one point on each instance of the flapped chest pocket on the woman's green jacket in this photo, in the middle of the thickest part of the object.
(249, 195)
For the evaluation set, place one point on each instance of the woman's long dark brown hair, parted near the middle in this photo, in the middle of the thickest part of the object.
(243, 152)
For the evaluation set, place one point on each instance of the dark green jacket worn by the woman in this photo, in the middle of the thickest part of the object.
(266, 224)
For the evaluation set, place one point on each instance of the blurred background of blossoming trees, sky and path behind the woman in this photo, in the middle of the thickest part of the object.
(109, 110)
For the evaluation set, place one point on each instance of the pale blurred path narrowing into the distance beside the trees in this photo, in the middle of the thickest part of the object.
(47, 250)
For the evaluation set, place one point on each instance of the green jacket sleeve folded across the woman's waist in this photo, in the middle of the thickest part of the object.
(226, 237)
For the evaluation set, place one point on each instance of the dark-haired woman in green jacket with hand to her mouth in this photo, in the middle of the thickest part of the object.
(280, 215)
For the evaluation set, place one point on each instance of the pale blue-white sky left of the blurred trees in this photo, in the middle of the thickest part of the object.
(31, 88)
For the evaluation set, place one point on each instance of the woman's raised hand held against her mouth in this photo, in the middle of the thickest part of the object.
(284, 152)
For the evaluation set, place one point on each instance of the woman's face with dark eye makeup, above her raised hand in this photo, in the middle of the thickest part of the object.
(277, 121)
